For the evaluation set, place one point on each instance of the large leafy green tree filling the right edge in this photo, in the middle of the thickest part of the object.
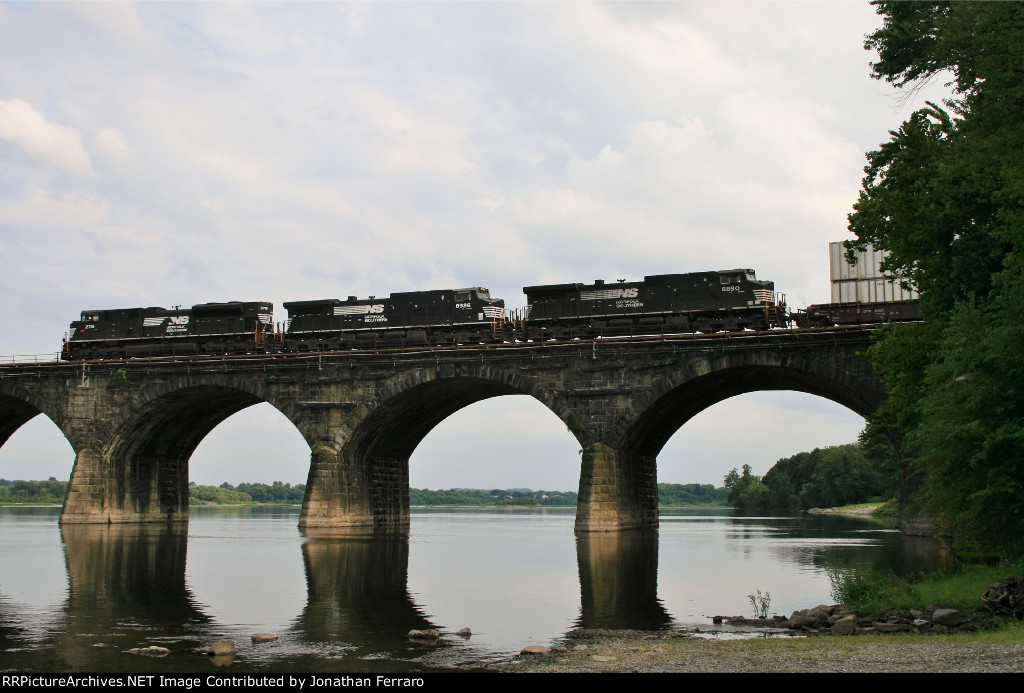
(946, 197)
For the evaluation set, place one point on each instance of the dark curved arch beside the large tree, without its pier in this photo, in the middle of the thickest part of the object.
(657, 416)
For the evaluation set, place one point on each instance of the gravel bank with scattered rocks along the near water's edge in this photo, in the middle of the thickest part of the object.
(807, 641)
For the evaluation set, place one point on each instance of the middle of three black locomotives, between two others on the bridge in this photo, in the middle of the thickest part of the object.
(409, 319)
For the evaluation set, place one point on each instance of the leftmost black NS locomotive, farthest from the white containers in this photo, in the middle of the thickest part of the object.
(233, 328)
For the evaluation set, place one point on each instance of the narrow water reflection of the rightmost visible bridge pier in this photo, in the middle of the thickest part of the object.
(619, 581)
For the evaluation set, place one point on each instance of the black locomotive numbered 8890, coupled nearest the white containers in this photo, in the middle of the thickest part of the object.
(715, 301)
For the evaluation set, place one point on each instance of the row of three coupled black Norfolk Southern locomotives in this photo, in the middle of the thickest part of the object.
(706, 302)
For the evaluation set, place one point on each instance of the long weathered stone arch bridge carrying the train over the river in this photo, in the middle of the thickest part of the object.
(134, 425)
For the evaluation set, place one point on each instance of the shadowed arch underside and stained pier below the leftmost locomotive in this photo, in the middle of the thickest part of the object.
(140, 473)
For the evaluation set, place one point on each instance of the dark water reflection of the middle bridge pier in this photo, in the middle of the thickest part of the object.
(358, 590)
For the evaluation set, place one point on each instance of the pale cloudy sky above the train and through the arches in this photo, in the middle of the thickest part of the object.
(172, 154)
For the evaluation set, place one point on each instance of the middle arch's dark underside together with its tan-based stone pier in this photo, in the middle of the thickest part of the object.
(363, 481)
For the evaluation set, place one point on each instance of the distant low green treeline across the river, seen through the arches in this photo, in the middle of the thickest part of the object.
(279, 493)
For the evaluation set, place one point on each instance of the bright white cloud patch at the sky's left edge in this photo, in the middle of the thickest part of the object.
(57, 146)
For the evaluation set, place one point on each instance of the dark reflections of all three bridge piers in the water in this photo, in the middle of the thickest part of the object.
(127, 589)
